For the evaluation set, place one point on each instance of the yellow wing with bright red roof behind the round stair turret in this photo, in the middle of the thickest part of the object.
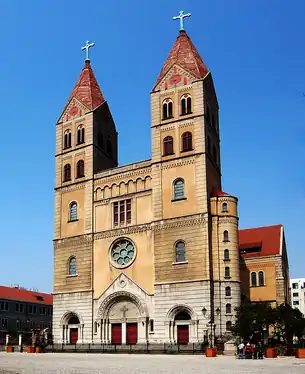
(264, 270)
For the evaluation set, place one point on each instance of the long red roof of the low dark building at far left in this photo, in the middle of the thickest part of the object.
(25, 295)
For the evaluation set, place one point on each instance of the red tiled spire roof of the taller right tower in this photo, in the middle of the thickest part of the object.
(184, 54)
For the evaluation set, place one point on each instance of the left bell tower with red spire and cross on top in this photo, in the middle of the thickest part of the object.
(86, 143)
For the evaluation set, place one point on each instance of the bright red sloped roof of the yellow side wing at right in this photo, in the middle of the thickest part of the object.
(266, 238)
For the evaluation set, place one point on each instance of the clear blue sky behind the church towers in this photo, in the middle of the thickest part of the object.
(255, 50)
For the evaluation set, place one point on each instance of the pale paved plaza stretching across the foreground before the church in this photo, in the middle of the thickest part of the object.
(136, 364)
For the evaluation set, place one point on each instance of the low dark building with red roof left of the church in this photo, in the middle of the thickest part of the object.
(23, 310)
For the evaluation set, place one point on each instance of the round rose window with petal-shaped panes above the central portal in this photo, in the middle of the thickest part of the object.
(122, 253)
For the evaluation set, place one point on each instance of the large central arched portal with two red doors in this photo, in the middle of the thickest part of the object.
(123, 319)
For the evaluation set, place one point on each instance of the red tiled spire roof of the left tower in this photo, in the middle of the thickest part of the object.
(87, 89)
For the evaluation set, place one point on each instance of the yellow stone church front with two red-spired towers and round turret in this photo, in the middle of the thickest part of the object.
(146, 252)
